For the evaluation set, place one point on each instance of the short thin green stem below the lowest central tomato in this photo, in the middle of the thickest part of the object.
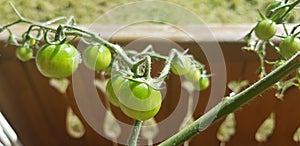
(134, 135)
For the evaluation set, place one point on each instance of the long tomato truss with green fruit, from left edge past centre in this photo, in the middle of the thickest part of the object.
(58, 58)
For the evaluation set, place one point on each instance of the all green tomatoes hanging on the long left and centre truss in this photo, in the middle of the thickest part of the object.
(133, 92)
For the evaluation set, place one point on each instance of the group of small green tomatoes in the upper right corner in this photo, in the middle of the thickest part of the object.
(276, 13)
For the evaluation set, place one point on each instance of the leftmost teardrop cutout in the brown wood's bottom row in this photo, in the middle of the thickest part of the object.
(74, 126)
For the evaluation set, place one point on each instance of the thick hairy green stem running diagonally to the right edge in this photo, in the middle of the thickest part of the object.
(229, 105)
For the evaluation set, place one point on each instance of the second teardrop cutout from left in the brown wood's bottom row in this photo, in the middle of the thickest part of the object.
(111, 127)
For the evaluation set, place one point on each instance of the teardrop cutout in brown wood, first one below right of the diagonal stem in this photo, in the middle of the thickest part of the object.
(227, 128)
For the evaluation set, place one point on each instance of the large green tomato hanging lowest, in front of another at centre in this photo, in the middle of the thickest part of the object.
(138, 100)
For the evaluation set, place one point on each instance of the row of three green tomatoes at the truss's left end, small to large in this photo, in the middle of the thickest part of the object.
(61, 60)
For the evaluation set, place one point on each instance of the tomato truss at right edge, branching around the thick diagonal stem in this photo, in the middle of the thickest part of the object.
(277, 13)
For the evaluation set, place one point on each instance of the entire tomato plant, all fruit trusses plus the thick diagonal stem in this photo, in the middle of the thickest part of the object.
(134, 80)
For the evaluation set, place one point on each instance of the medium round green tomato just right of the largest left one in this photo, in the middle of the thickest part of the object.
(97, 57)
